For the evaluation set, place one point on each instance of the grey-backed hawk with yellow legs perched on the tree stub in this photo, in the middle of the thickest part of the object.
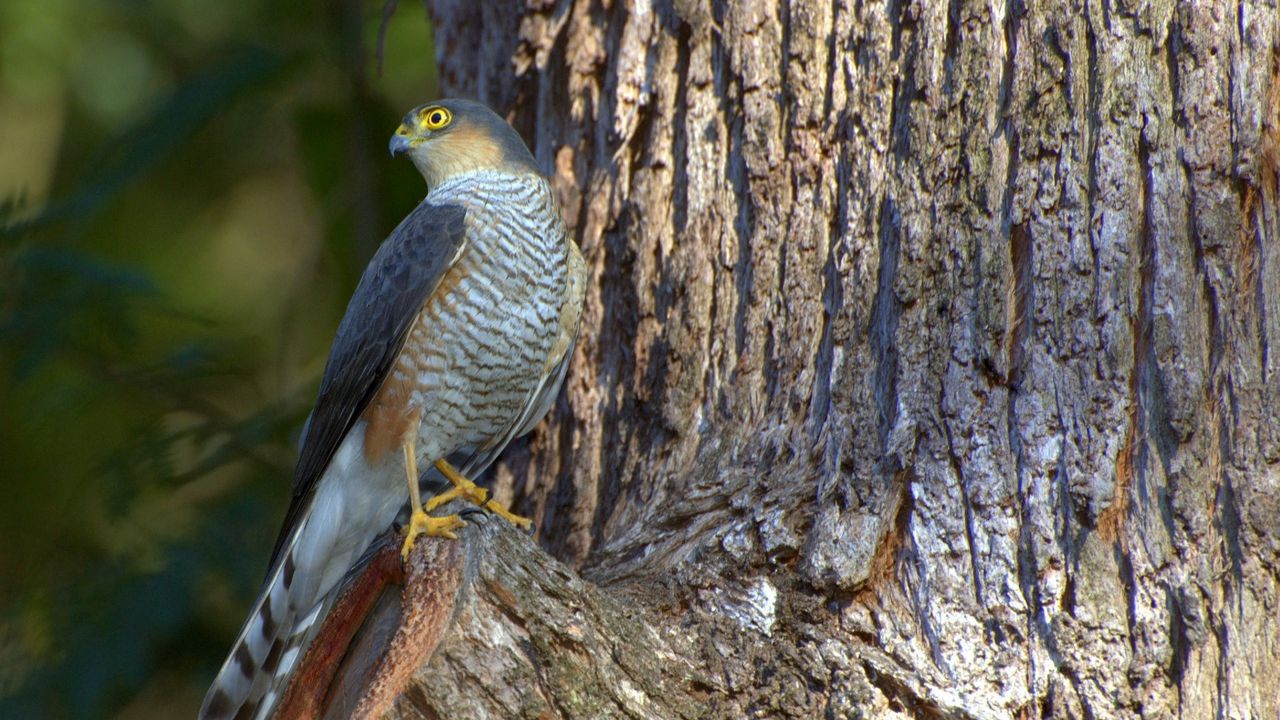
(455, 343)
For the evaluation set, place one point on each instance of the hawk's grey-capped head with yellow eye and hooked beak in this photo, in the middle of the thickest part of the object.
(452, 138)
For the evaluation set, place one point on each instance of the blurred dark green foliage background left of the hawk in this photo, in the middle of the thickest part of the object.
(189, 193)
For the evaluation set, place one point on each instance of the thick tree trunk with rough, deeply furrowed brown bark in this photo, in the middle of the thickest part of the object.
(930, 368)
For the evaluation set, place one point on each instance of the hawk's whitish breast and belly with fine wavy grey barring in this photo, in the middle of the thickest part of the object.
(477, 382)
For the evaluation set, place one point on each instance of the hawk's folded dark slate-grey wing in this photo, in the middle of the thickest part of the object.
(404, 274)
